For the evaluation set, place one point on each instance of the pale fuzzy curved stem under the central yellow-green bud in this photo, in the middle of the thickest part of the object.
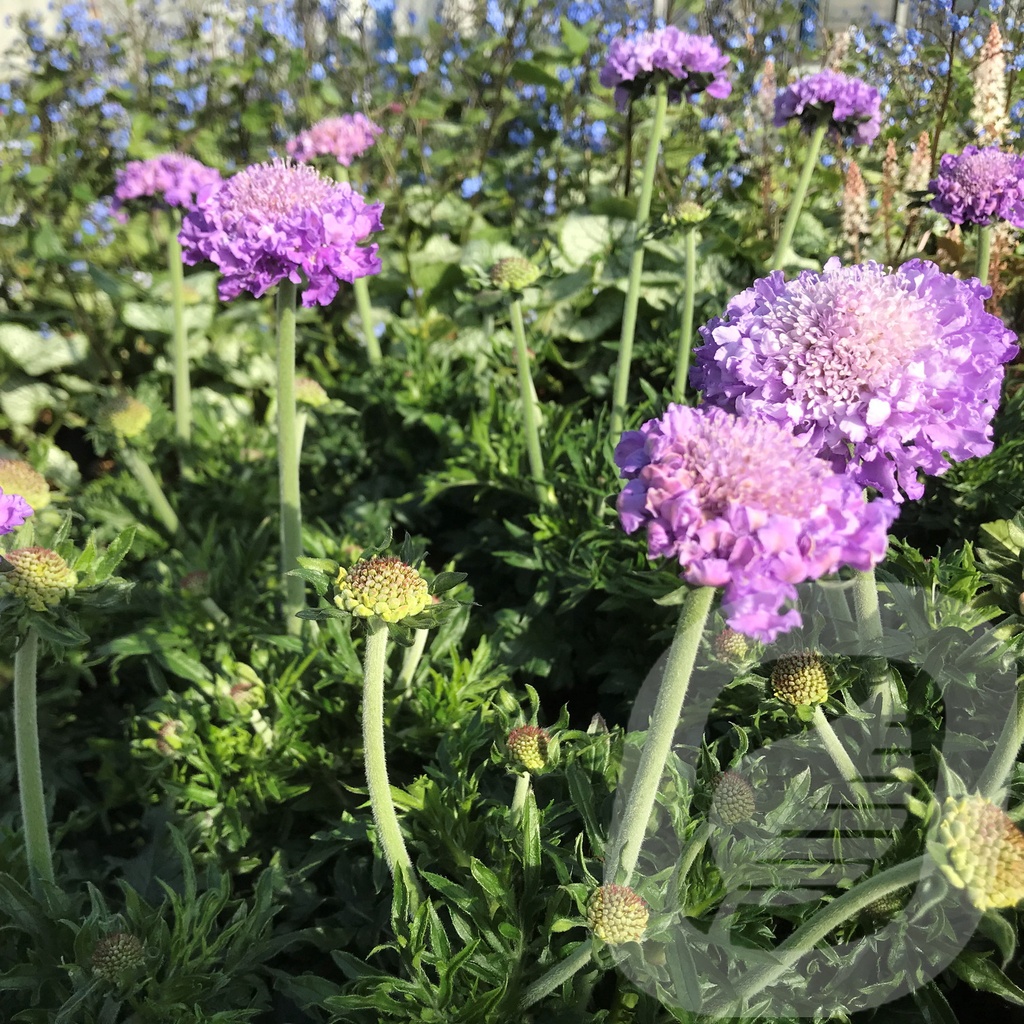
(386, 818)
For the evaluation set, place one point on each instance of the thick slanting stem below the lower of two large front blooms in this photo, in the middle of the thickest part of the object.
(625, 850)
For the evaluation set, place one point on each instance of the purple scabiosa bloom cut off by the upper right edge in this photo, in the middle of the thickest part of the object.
(980, 187)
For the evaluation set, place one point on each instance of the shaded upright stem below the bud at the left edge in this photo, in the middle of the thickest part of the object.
(30, 775)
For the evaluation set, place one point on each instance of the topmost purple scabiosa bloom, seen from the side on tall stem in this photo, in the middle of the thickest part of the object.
(691, 65)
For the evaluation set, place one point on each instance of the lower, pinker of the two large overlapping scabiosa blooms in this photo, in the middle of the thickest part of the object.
(743, 504)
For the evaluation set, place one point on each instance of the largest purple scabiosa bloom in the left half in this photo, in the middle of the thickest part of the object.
(278, 221)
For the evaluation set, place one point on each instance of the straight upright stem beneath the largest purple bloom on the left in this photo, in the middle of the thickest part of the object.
(288, 458)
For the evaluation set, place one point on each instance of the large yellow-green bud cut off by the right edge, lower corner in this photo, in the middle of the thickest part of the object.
(985, 851)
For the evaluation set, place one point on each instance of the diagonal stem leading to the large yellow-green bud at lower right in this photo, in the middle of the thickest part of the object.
(815, 929)
